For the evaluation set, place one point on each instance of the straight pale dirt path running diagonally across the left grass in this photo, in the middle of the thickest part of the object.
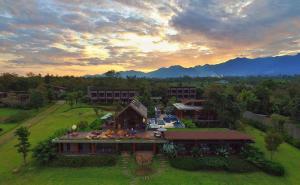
(31, 122)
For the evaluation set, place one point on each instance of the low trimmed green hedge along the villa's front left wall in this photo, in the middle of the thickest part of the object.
(79, 161)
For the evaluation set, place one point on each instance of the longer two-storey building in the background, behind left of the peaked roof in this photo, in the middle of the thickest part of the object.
(110, 96)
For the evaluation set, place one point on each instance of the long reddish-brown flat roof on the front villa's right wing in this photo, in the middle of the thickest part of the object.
(207, 135)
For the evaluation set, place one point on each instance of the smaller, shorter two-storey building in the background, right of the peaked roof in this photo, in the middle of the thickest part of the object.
(183, 92)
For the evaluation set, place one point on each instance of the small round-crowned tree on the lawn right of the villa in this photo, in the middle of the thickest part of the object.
(273, 140)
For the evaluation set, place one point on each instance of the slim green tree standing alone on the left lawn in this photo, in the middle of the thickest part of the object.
(23, 145)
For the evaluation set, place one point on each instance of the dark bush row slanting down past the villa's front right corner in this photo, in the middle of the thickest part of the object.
(256, 157)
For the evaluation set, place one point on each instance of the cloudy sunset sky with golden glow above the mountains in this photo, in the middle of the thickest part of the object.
(78, 37)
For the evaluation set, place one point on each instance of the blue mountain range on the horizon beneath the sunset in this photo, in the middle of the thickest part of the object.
(267, 66)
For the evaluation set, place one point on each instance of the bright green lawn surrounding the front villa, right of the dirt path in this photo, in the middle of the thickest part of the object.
(60, 116)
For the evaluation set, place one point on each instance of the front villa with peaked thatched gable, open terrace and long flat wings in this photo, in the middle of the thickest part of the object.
(128, 133)
